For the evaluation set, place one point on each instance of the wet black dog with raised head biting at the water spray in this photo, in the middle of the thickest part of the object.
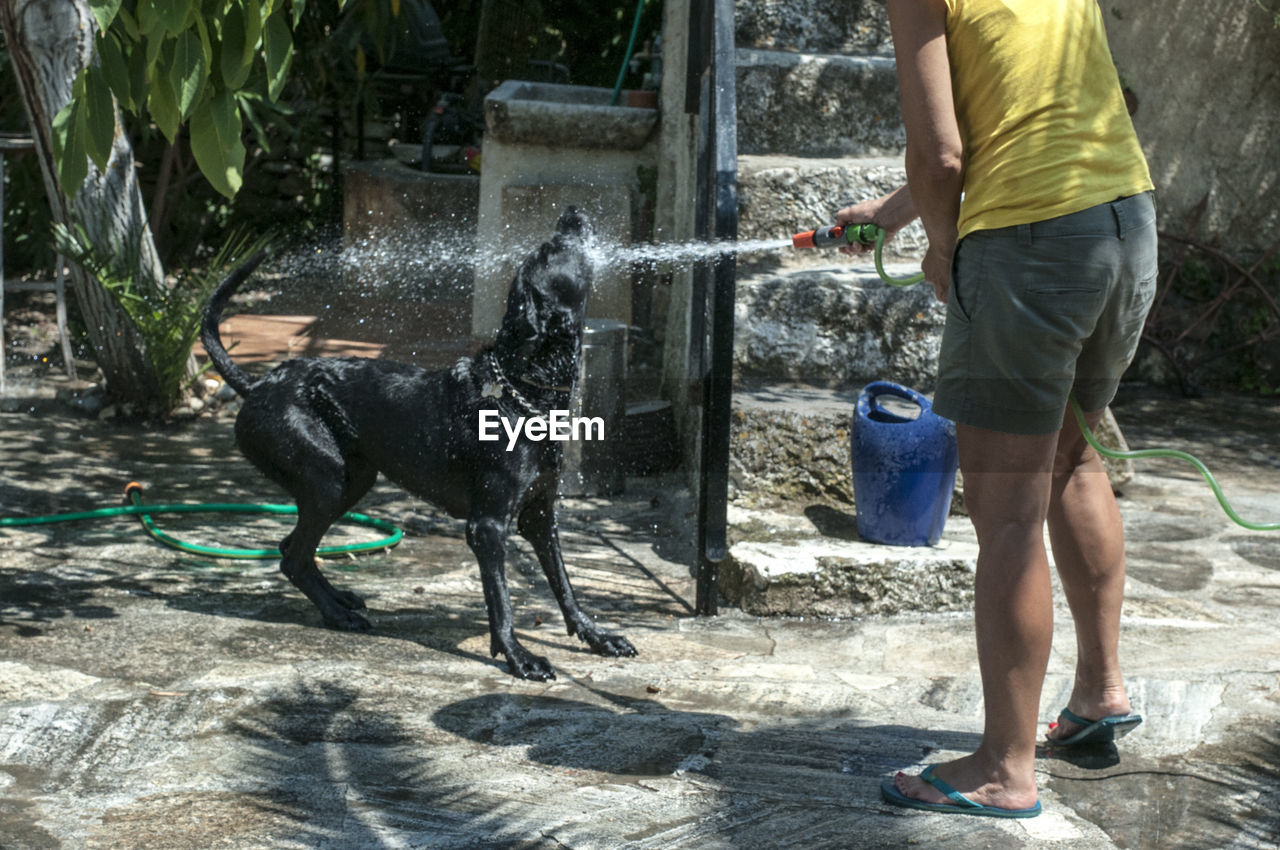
(324, 428)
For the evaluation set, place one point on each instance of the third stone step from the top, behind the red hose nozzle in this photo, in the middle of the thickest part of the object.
(783, 195)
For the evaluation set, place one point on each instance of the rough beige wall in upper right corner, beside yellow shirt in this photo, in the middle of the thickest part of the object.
(1208, 81)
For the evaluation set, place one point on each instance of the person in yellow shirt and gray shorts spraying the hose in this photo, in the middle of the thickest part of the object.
(1026, 171)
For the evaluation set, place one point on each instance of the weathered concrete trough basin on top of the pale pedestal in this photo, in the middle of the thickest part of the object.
(528, 113)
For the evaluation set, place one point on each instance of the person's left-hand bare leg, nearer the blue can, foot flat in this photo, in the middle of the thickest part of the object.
(1008, 486)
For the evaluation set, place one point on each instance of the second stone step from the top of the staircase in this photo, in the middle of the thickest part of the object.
(817, 104)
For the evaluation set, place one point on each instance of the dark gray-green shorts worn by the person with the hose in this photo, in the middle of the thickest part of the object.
(1039, 312)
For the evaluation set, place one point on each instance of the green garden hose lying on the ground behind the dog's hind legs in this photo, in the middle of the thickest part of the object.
(135, 508)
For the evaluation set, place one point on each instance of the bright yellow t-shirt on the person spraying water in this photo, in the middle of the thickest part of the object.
(1041, 113)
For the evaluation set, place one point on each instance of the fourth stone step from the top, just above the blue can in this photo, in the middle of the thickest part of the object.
(836, 327)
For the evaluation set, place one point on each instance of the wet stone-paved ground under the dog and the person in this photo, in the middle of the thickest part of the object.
(152, 700)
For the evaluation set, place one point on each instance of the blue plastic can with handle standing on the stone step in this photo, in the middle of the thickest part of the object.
(904, 469)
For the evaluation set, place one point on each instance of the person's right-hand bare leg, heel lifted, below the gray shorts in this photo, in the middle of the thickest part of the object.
(1087, 537)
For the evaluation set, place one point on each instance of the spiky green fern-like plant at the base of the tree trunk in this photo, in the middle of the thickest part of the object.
(166, 314)
